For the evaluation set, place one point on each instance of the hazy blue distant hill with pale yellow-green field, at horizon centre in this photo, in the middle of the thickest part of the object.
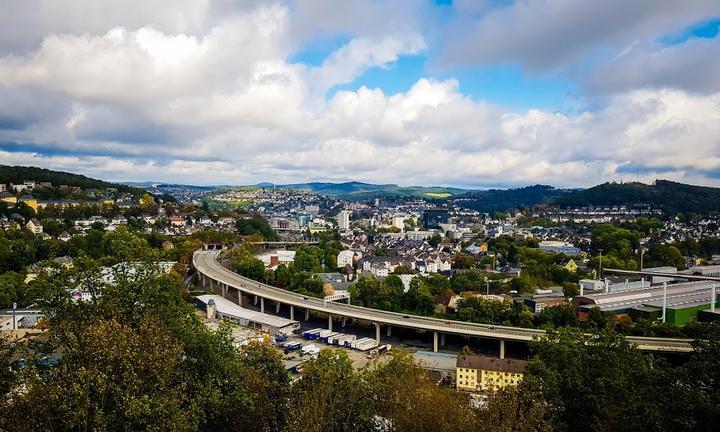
(362, 191)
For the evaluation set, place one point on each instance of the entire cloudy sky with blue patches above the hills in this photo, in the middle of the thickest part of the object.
(474, 94)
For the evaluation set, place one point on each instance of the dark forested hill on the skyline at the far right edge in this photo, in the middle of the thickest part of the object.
(671, 197)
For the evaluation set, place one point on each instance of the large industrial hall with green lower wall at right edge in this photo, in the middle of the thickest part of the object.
(681, 302)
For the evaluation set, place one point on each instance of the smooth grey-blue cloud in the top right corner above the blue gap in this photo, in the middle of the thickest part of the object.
(545, 35)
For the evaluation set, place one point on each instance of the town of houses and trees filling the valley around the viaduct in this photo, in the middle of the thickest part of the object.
(528, 268)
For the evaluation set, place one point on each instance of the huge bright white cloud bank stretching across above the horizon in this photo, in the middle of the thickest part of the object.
(223, 104)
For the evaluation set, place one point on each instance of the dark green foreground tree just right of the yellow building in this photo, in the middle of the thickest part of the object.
(620, 384)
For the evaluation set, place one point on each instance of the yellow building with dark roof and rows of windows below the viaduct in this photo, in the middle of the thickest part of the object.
(479, 373)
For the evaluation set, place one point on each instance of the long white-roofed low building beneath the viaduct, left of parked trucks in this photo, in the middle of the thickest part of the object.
(222, 308)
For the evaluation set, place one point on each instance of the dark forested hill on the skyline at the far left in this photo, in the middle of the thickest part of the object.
(18, 174)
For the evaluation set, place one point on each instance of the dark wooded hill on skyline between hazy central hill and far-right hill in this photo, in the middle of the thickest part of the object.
(505, 199)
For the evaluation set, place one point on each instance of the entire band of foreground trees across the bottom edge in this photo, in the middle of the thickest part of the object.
(139, 358)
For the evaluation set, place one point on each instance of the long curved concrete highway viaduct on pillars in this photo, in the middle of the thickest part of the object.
(212, 273)
